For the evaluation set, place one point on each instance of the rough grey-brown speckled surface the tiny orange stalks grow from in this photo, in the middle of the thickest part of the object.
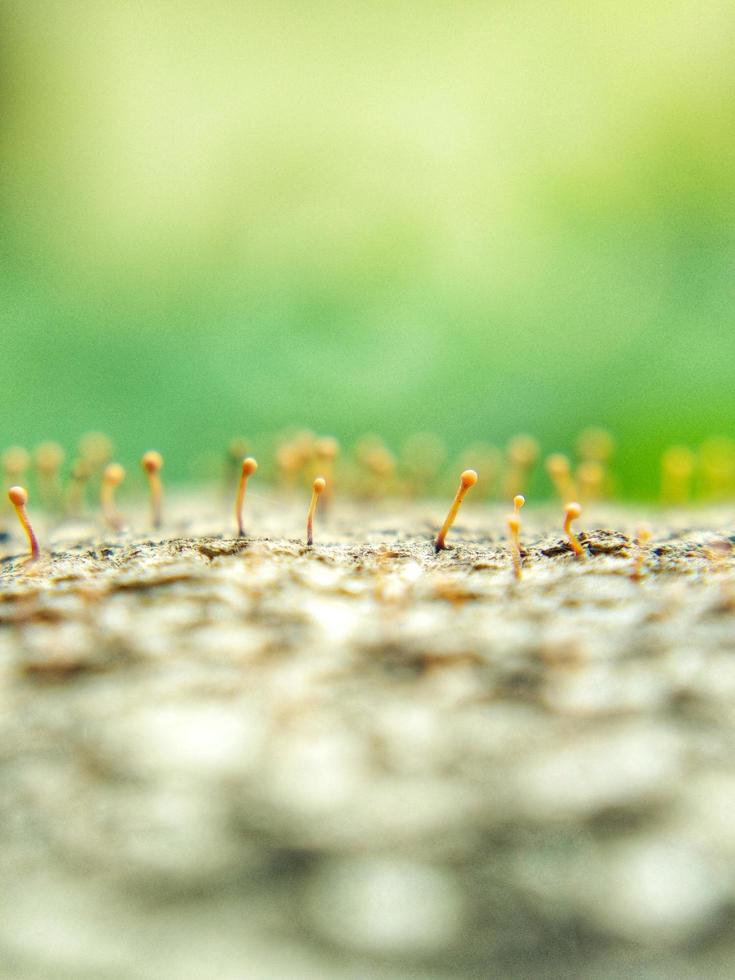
(245, 759)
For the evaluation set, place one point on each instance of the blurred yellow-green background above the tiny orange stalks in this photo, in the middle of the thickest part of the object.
(473, 218)
